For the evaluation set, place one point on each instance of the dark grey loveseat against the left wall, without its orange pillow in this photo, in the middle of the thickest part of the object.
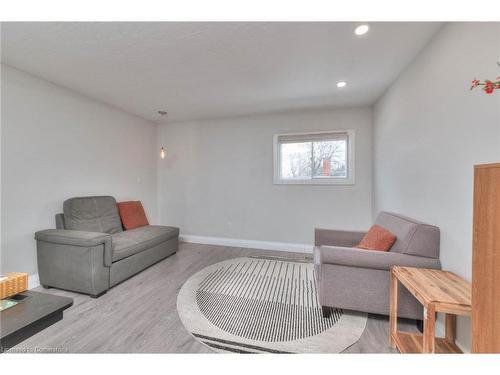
(89, 252)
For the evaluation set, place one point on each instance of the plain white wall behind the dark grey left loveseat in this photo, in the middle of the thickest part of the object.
(57, 144)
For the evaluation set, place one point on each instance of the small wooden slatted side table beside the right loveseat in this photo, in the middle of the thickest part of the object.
(437, 291)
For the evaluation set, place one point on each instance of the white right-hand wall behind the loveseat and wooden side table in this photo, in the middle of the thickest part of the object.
(429, 131)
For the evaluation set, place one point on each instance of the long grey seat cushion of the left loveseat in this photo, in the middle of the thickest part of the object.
(134, 241)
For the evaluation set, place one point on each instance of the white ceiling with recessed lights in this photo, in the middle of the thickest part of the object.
(206, 70)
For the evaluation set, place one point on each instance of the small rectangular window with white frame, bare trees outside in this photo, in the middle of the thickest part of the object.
(314, 158)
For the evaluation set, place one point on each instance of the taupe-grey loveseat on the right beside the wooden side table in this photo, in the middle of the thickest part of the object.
(357, 279)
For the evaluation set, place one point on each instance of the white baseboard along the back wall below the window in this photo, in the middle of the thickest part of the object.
(251, 244)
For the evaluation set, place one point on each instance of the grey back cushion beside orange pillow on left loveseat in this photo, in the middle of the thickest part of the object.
(92, 214)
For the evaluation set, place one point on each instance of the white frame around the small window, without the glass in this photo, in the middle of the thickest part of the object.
(349, 180)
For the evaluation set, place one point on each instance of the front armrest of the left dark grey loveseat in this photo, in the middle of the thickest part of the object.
(78, 238)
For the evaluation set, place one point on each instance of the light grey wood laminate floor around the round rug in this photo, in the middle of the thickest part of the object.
(140, 315)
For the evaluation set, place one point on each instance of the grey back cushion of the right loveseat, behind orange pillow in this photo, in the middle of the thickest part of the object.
(413, 237)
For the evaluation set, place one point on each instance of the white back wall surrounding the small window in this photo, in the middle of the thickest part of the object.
(217, 178)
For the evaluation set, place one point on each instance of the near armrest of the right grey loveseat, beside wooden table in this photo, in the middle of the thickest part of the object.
(372, 259)
